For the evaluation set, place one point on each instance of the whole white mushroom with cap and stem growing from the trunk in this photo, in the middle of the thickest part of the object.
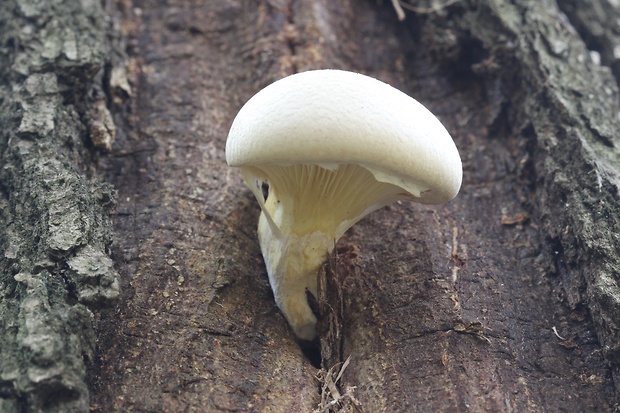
(332, 146)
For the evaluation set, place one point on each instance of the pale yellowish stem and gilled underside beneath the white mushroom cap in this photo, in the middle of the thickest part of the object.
(309, 207)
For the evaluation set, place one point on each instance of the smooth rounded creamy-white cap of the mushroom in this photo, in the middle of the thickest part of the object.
(333, 117)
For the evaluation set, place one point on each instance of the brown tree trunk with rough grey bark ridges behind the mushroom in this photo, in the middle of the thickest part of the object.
(131, 274)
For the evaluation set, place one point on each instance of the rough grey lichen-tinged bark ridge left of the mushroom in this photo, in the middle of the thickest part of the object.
(54, 219)
